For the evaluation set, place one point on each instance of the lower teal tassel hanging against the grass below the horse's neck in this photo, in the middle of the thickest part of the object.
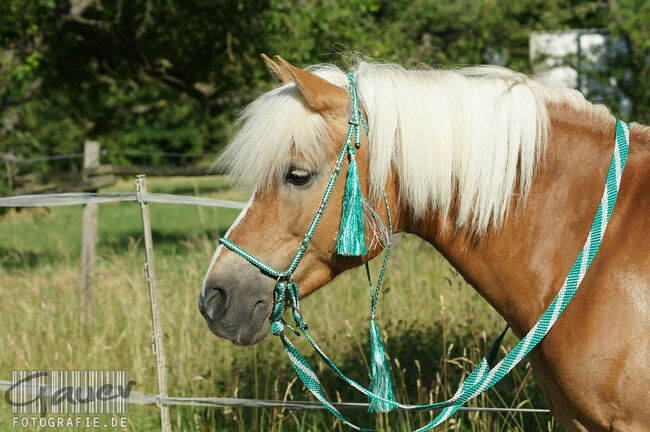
(381, 383)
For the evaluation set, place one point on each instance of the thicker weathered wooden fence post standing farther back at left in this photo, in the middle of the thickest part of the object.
(88, 237)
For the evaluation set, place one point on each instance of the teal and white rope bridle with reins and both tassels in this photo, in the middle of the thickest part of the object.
(484, 375)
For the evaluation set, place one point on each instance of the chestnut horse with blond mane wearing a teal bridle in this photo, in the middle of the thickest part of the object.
(500, 172)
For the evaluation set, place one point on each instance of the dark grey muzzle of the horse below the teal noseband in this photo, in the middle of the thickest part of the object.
(236, 312)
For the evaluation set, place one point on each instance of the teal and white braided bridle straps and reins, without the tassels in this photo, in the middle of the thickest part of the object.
(483, 376)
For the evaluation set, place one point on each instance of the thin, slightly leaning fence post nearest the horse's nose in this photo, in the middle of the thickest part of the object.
(150, 275)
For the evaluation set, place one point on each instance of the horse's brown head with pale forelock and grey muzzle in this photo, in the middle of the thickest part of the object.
(285, 150)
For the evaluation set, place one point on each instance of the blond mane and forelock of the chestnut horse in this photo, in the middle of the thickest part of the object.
(473, 134)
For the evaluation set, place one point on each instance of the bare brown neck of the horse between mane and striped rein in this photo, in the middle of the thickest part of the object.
(520, 267)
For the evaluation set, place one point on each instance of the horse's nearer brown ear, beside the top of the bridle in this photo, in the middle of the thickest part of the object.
(319, 94)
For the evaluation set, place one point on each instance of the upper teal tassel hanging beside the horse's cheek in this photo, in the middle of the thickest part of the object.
(351, 240)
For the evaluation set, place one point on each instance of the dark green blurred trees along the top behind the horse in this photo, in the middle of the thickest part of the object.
(171, 76)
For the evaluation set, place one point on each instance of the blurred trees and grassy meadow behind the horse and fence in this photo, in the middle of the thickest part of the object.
(154, 85)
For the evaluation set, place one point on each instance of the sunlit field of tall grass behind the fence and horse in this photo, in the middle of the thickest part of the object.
(438, 328)
